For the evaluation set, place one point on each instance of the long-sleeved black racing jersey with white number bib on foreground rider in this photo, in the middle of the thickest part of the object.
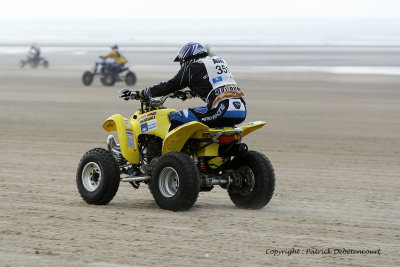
(208, 83)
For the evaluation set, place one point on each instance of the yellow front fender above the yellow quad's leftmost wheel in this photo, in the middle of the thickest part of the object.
(127, 138)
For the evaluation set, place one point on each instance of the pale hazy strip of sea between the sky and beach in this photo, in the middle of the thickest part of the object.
(257, 31)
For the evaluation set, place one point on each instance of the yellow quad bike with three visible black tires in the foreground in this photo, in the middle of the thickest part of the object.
(176, 165)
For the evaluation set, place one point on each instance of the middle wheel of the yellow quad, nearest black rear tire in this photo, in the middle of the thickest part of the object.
(188, 187)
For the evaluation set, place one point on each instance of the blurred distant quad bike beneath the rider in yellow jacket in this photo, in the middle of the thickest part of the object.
(108, 77)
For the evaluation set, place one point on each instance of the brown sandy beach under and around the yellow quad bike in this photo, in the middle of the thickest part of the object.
(333, 139)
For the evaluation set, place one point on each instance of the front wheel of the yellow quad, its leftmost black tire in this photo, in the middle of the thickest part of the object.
(98, 177)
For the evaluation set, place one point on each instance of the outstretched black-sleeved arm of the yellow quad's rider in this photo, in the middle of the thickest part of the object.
(180, 81)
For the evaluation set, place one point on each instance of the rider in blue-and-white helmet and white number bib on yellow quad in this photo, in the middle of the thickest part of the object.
(207, 77)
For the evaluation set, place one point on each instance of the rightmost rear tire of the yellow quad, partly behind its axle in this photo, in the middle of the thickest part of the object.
(258, 190)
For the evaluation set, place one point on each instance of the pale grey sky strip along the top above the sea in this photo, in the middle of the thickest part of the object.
(198, 9)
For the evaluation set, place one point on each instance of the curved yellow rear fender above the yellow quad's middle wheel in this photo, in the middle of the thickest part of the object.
(176, 139)
